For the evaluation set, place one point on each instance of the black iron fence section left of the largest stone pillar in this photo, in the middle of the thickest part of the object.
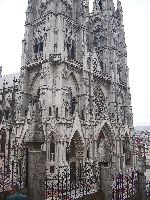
(13, 173)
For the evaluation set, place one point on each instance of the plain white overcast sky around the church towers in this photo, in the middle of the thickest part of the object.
(137, 28)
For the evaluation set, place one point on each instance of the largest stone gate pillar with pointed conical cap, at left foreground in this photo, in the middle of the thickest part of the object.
(36, 157)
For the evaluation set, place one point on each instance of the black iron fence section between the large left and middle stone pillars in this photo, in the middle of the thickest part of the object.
(68, 185)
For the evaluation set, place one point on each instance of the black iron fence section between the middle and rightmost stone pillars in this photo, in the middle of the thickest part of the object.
(125, 185)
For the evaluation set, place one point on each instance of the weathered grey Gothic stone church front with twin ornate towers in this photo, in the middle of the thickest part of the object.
(75, 63)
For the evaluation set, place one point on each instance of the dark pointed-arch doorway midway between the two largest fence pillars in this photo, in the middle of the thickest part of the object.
(76, 155)
